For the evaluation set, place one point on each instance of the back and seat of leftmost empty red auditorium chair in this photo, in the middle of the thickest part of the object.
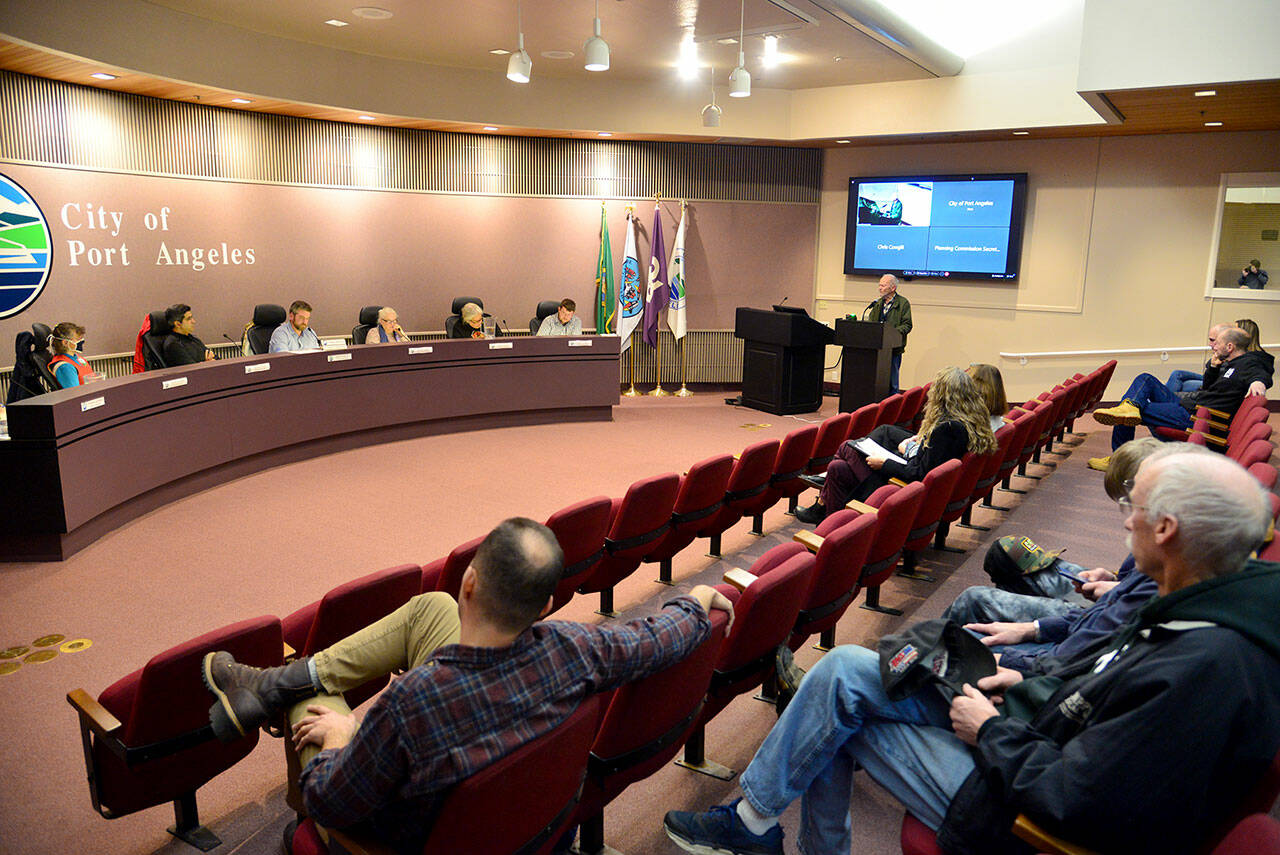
(166, 748)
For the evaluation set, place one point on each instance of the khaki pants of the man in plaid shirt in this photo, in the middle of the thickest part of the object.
(405, 639)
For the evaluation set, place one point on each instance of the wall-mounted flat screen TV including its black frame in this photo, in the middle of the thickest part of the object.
(948, 227)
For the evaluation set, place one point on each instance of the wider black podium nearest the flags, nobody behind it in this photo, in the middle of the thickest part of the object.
(783, 360)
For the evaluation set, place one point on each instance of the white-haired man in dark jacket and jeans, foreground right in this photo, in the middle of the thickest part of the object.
(1146, 742)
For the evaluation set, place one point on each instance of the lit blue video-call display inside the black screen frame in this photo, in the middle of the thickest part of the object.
(934, 226)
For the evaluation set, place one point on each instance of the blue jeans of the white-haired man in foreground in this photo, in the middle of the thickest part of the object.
(840, 720)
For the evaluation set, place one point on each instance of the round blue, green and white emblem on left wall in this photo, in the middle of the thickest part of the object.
(26, 249)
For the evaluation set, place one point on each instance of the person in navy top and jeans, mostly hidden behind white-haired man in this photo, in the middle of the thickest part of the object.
(1037, 625)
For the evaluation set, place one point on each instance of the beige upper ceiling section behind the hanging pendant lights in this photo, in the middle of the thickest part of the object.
(644, 36)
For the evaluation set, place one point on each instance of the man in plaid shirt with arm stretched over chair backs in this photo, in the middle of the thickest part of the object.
(483, 678)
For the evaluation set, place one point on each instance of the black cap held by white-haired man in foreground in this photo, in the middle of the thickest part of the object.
(938, 652)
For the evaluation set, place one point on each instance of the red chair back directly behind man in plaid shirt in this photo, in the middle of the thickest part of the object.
(537, 787)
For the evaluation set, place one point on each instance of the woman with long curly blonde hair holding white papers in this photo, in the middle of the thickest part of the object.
(956, 422)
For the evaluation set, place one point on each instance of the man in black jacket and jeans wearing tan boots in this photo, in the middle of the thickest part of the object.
(1150, 403)
